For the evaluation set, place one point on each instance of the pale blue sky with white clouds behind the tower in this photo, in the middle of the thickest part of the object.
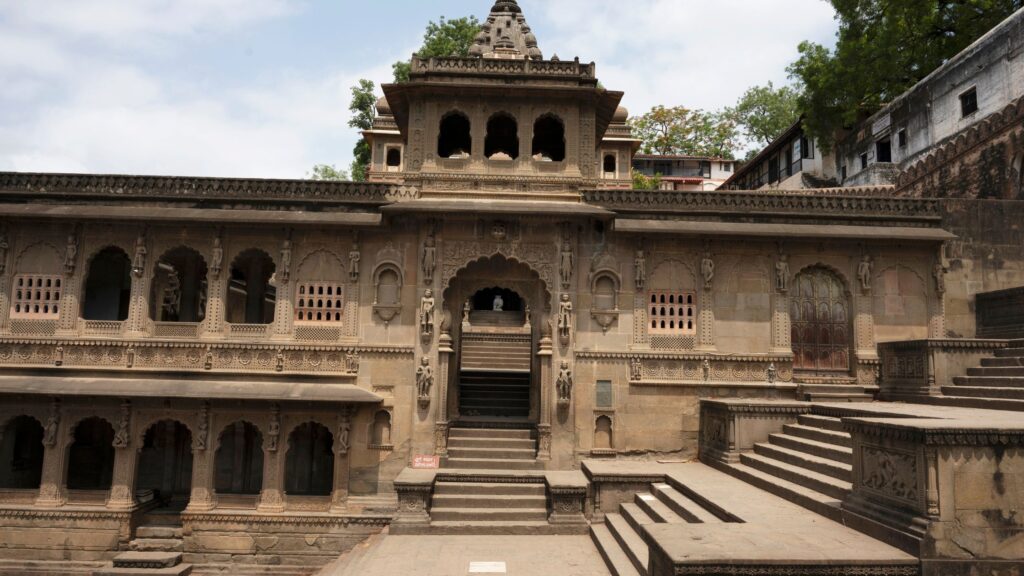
(261, 89)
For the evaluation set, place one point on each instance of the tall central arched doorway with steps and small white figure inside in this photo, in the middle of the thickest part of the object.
(500, 304)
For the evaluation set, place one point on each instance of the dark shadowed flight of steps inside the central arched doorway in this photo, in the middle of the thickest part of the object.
(500, 395)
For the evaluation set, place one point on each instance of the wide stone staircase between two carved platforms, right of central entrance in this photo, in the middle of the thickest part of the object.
(809, 464)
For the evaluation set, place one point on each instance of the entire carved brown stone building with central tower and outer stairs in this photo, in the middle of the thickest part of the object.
(498, 336)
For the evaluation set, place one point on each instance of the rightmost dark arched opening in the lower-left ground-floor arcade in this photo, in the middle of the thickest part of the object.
(310, 468)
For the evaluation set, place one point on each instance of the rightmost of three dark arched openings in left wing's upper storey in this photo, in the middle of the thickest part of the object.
(251, 298)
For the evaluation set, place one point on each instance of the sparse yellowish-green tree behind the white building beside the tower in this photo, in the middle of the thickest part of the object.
(684, 132)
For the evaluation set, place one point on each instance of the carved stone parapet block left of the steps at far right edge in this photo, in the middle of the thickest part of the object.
(917, 369)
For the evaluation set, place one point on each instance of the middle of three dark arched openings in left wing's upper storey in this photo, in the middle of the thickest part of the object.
(180, 287)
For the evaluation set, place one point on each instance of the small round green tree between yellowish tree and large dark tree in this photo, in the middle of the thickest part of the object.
(765, 112)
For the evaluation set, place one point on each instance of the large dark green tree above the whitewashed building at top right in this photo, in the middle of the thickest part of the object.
(883, 49)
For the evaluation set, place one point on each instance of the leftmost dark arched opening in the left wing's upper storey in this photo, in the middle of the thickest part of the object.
(108, 287)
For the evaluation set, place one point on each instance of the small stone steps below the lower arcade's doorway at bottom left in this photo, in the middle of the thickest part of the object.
(157, 551)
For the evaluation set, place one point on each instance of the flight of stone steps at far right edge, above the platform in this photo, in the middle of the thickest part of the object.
(997, 385)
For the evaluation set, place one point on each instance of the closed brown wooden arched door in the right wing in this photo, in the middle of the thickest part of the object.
(821, 320)
